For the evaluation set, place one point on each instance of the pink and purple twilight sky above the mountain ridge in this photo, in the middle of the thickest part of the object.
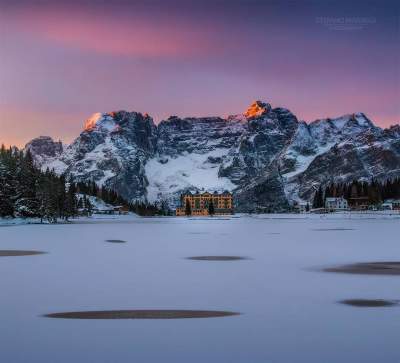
(61, 61)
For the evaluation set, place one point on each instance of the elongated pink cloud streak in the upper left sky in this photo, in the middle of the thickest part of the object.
(114, 33)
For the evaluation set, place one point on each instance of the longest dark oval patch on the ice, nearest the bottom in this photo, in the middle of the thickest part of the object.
(141, 314)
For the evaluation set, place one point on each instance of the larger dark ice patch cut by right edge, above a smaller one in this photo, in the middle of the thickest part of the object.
(368, 268)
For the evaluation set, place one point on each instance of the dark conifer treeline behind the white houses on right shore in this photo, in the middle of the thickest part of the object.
(374, 192)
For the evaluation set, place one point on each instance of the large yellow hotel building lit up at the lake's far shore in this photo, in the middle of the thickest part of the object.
(199, 204)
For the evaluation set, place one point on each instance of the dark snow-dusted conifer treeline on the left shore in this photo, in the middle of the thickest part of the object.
(28, 192)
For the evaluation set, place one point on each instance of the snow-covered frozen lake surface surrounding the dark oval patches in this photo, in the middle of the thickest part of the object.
(289, 310)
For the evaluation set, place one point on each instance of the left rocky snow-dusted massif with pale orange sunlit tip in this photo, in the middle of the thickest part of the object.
(112, 151)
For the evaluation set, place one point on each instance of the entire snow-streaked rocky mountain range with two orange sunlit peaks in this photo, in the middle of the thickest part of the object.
(266, 157)
